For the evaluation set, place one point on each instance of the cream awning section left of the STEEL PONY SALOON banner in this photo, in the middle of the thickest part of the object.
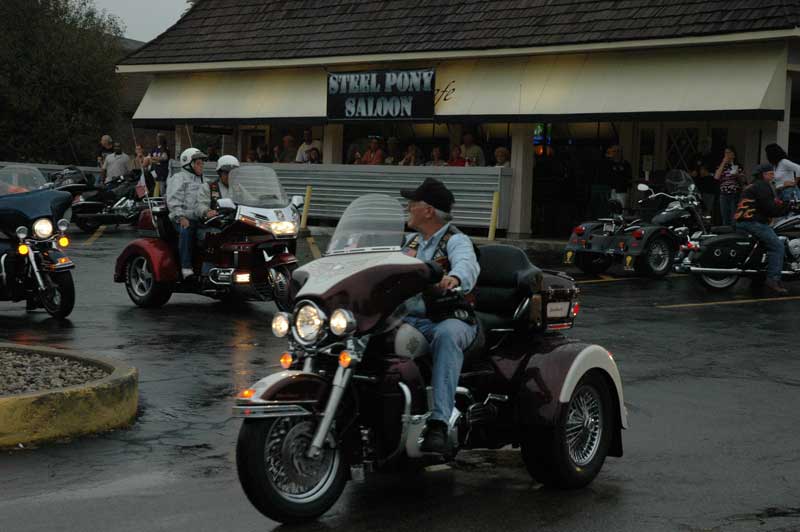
(235, 96)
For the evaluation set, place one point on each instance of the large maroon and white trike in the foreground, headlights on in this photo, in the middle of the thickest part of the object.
(355, 392)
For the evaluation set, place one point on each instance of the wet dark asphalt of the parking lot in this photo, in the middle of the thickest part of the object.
(711, 390)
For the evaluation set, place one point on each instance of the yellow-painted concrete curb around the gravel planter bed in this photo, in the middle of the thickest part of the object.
(89, 408)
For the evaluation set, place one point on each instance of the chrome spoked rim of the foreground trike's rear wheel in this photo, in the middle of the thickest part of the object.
(584, 426)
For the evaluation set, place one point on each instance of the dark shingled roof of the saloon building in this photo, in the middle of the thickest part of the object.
(238, 30)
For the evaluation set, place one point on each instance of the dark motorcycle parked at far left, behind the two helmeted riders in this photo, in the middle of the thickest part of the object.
(117, 202)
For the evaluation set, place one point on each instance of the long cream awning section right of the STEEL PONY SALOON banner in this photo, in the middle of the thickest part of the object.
(679, 80)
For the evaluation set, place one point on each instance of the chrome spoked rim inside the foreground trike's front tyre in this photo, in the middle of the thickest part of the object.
(295, 476)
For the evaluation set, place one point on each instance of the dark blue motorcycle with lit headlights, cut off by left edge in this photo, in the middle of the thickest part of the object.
(33, 266)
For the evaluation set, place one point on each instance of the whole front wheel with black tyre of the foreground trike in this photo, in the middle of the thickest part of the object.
(277, 477)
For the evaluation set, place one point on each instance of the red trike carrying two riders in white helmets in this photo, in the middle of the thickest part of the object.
(246, 253)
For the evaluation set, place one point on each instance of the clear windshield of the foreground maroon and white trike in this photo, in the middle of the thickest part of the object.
(374, 222)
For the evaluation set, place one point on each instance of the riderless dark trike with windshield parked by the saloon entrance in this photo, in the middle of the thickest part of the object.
(648, 247)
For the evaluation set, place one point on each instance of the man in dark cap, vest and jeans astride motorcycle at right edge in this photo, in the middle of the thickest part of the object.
(757, 206)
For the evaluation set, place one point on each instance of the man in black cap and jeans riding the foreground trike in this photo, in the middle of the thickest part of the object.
(449, 332)
